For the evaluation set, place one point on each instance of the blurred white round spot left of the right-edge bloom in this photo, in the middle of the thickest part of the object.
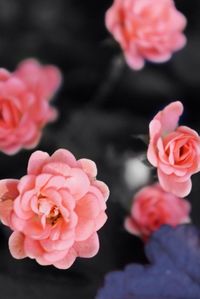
(136, 173)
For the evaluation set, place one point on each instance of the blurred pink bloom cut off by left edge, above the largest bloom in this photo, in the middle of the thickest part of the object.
(24, 110)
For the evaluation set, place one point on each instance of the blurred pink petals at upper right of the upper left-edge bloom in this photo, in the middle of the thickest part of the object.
(43, 81)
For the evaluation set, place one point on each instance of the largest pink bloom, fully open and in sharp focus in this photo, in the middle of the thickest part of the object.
(57, 211)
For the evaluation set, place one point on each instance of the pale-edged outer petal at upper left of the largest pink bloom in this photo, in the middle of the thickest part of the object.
(36, 162)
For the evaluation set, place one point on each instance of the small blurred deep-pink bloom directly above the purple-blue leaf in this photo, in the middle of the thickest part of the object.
(153, 207)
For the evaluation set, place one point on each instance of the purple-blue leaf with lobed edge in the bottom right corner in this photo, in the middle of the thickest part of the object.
(174, 272)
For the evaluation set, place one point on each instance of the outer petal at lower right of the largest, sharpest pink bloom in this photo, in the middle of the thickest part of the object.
(88, 248)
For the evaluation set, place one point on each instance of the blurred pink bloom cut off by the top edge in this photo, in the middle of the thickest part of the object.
(146, 29)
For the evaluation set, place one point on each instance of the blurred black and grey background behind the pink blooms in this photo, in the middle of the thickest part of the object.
(98, 118)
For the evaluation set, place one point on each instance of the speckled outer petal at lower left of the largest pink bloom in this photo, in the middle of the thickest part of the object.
(16, 245)
